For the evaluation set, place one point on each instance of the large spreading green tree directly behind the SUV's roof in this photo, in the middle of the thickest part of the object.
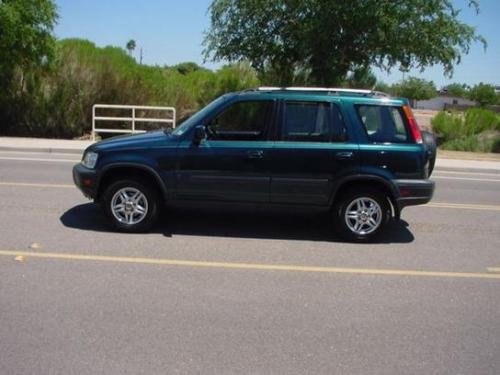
(331, 38)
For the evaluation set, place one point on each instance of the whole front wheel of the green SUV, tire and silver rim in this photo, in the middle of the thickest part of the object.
(131, 206)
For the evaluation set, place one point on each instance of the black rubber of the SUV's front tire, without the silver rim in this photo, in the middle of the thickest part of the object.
(152, 205)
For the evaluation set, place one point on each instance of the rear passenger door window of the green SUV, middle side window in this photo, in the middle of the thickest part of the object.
(312, 122)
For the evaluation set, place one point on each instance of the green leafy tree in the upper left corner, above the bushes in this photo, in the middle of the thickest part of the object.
(26, 39)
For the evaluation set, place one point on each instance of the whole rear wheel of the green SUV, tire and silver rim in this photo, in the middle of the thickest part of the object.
(371, 219)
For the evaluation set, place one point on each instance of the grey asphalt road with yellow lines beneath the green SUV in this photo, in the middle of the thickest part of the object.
(255, 293)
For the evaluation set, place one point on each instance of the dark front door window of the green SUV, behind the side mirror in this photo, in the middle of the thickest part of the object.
(241, 121)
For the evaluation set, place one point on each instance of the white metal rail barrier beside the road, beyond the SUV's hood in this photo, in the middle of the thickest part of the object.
(132, 119)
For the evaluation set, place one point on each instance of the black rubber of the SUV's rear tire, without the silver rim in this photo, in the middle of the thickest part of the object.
(341, 222)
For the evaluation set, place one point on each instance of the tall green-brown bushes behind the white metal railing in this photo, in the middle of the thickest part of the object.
(57, 102)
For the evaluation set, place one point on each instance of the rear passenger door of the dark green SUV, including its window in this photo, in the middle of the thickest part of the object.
(313, 149)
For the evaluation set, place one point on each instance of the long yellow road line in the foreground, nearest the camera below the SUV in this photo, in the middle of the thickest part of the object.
(251, 266)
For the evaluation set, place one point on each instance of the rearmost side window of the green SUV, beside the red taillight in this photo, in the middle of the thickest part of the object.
(383, 124)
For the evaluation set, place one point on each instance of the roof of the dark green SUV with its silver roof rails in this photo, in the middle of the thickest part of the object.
(321, 94)
